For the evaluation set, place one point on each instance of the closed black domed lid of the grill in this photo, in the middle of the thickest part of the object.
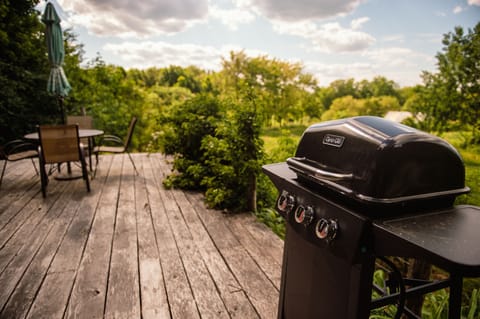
(373, 160)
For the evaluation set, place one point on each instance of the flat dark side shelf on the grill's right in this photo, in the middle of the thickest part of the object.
(448, 239)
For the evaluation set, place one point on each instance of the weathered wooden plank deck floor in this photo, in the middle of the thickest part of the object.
(129, 249)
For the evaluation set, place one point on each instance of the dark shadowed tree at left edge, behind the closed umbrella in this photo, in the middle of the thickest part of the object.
(24, 69)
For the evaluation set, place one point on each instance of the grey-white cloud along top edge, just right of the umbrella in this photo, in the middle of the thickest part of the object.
(134, 18)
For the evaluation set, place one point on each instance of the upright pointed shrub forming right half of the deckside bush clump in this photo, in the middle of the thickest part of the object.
(234, 157)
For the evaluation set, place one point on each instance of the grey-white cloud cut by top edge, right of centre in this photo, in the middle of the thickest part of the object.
(287, 10)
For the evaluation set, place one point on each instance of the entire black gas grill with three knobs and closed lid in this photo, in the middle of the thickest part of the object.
(363, 188)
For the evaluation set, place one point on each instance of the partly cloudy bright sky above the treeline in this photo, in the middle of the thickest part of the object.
(332, 39)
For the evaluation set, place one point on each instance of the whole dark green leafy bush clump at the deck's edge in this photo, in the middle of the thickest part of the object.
(217, 149)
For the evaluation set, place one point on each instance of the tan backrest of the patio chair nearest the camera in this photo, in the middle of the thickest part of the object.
(59, 143)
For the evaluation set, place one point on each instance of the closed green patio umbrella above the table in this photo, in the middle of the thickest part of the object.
(57, 82)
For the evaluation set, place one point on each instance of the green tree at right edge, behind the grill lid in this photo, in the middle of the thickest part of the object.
(451, 97)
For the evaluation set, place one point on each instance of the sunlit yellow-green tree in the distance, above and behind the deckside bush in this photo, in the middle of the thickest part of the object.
(282, 92)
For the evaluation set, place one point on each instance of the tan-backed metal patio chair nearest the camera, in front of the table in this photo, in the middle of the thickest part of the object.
(60, 144)
